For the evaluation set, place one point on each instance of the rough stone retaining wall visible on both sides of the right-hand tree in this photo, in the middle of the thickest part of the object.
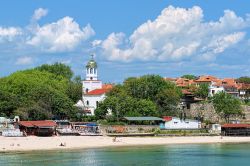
(207, 111)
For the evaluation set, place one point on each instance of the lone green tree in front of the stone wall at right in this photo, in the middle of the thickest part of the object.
(226, 105)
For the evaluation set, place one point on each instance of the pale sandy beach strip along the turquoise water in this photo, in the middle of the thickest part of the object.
(81, 142)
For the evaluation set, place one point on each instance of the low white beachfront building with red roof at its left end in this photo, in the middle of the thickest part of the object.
(177, 123)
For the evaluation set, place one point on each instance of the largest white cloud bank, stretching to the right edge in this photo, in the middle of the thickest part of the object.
(177, 34)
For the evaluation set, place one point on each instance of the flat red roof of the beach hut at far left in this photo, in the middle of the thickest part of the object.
(39, 123)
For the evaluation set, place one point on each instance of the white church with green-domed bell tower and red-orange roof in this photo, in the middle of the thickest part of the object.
(92, 89)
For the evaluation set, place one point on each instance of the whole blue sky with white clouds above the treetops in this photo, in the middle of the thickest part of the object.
(129, 38)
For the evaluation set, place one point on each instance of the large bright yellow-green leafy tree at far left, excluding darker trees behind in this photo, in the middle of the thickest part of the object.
(37, 91)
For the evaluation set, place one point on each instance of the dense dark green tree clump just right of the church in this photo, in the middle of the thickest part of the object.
(149, 95)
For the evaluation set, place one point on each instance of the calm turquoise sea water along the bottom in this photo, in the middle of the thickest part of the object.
(194, 155)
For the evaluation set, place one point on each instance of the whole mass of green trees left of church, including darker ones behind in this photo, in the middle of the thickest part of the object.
(45, 92)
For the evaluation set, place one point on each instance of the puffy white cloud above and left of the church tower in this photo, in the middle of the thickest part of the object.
(63, 35)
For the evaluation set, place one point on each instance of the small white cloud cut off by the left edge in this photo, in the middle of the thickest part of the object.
(9, 33)
